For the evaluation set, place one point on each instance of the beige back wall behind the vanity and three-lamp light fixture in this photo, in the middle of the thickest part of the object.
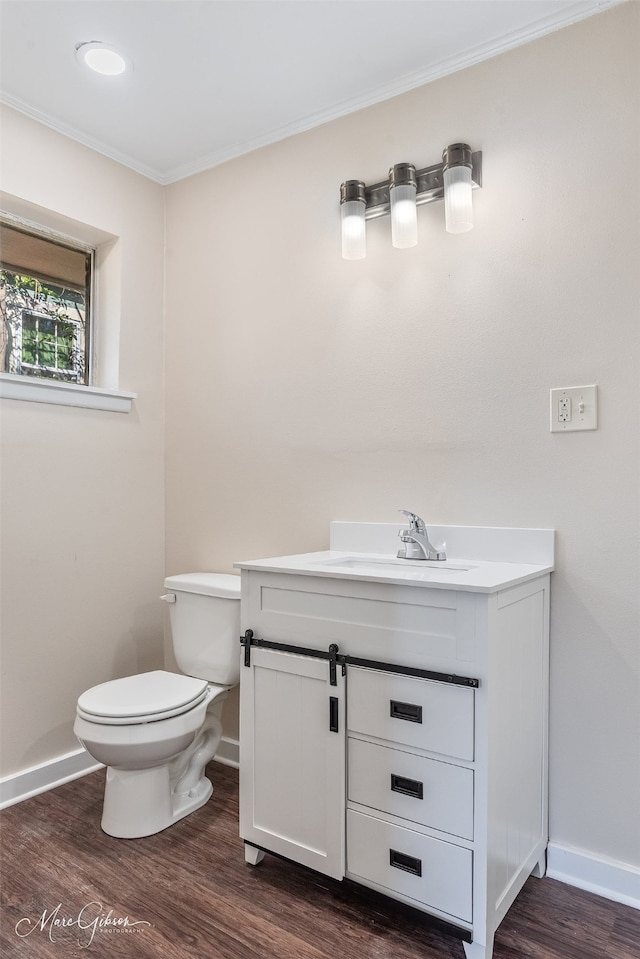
(302, 388)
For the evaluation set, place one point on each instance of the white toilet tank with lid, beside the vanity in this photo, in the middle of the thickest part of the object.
(205, 625)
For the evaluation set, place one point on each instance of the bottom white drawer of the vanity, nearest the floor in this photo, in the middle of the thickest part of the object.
(432, 872)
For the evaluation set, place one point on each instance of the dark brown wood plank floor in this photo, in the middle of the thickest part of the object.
(194, 896)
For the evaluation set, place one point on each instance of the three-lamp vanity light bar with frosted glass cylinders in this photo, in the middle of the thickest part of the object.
(406, 189)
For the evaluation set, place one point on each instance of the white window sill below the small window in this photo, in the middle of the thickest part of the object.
(64, 394)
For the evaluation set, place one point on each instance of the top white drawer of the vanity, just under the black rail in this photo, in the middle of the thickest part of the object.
(437, 717)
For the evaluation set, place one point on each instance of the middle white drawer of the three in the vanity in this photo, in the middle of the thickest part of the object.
(425, 791)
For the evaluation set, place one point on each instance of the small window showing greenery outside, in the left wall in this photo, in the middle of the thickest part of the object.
(45, 304)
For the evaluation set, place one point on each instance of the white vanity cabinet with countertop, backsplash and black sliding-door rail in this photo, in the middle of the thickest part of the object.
(394, 717)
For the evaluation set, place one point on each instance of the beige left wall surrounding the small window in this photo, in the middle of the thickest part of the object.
(82, 490)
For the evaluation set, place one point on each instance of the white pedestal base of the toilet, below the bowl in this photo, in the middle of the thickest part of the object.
(142, 802)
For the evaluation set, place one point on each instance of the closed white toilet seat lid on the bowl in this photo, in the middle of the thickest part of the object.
(141, 699)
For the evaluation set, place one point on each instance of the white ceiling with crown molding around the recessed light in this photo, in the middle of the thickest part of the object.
(213, 79)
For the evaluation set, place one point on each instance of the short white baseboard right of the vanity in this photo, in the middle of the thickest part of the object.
(605, 877)
